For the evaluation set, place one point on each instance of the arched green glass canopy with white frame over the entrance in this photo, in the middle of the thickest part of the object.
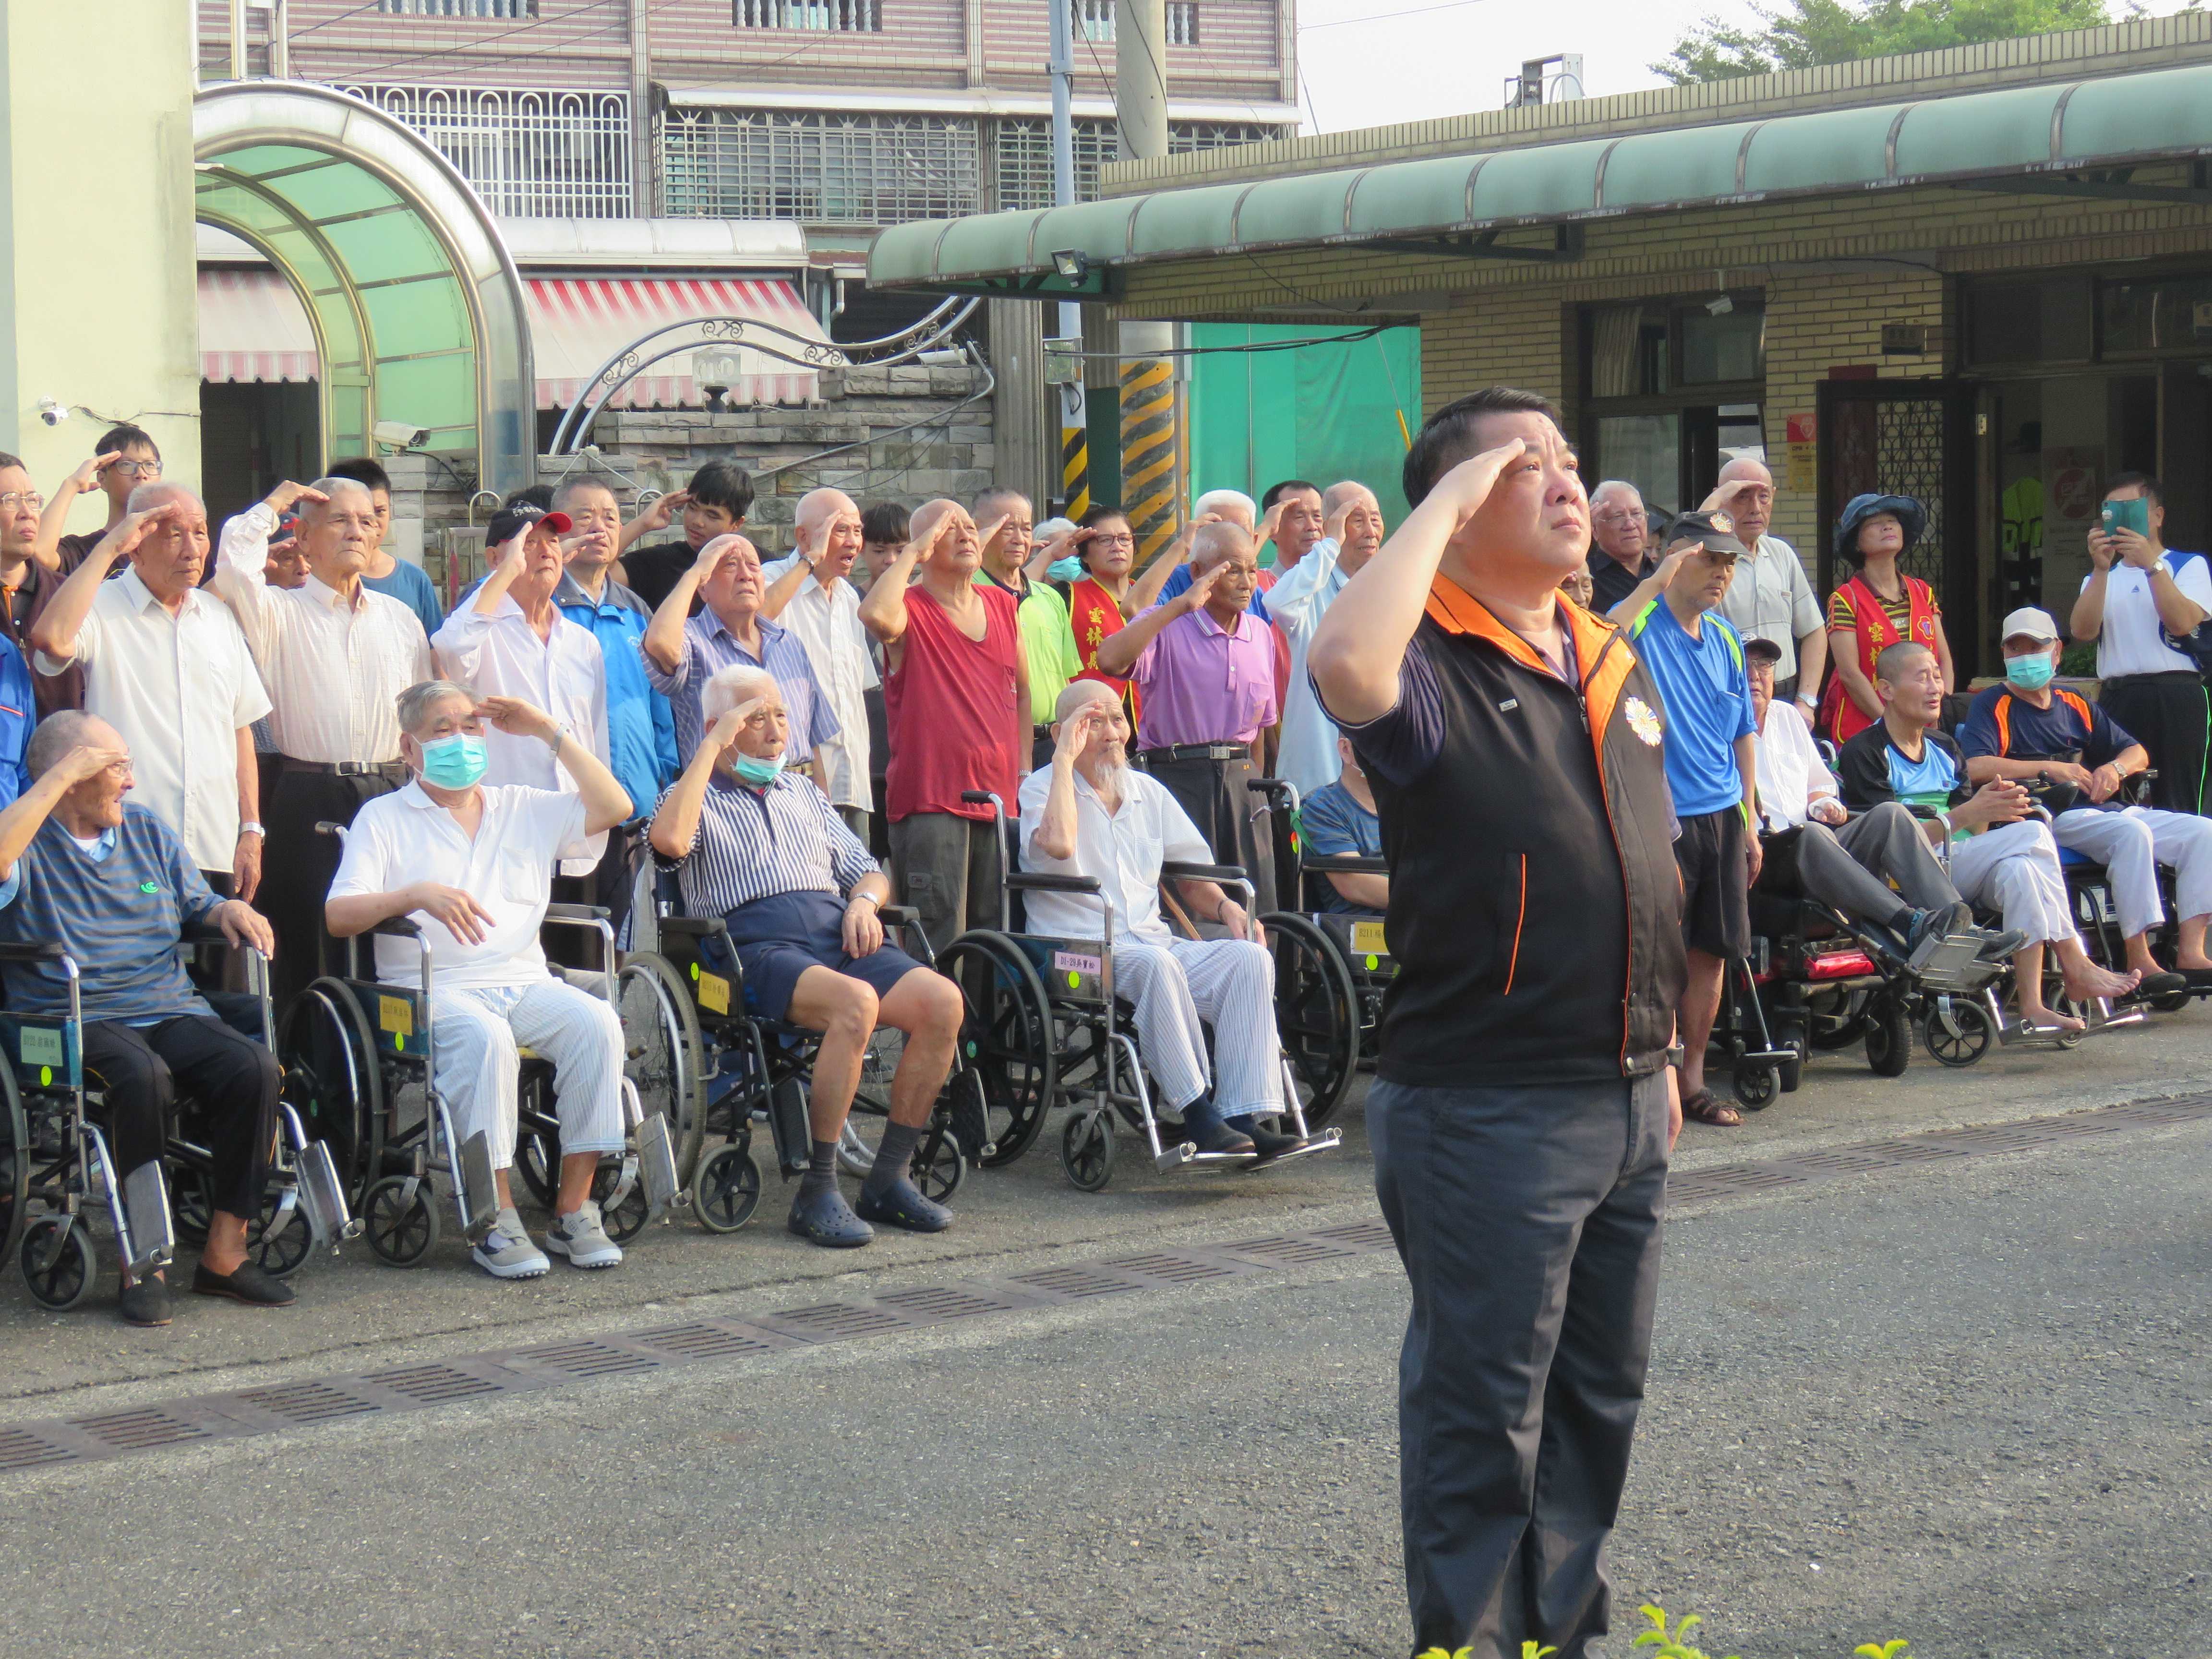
(417, 306)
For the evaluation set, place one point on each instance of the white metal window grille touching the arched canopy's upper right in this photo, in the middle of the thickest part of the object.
(530, 154)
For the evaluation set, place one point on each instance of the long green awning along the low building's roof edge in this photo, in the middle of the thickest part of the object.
(2018, 134)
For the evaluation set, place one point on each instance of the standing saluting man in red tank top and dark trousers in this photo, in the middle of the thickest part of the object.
(957, 702)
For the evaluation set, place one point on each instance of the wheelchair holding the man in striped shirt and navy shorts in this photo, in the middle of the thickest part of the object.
(751, 1067)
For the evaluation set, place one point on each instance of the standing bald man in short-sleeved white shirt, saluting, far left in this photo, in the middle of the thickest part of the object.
(169, 669)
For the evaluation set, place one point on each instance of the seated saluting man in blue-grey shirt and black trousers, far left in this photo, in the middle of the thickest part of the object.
(96, 881)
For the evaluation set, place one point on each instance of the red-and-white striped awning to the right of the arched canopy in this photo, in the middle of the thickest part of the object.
(583, 322)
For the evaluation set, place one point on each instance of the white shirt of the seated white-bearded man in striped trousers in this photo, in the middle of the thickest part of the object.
(1123, 851)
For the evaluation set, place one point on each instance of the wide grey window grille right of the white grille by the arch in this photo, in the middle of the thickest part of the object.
(820, 167)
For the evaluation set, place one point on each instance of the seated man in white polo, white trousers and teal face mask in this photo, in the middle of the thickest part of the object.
(472, 866)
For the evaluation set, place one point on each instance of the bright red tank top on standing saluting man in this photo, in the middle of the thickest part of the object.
(952, 711)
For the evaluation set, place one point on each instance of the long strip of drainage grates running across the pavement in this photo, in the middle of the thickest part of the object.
(335, 1399)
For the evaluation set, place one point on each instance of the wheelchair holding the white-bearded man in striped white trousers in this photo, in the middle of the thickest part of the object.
(1047, 1030)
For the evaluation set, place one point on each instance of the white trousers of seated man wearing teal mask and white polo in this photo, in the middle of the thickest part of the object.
(479, 1032)
